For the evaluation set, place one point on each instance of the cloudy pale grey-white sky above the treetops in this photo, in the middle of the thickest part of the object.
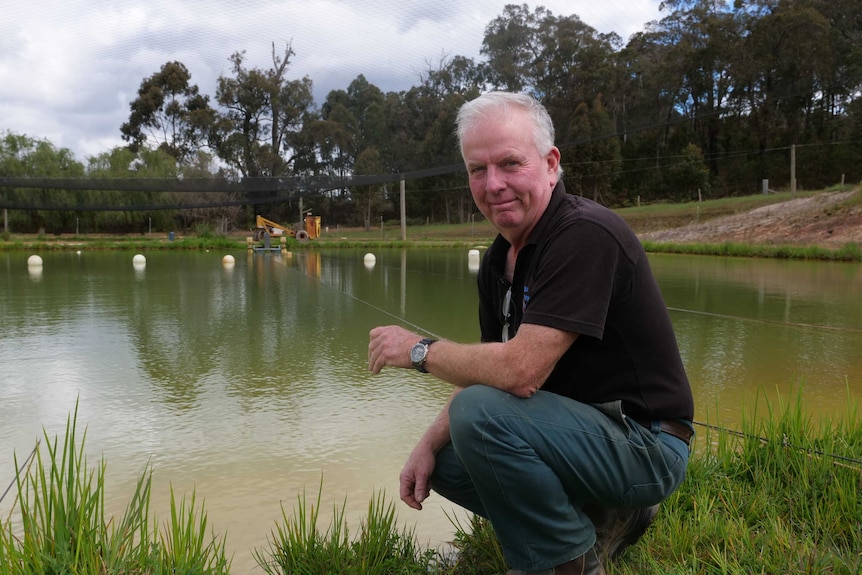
(70, 68)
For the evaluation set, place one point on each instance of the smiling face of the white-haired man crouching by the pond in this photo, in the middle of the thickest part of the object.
(510, 181)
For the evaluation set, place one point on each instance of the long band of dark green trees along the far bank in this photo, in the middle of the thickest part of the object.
(710, 99)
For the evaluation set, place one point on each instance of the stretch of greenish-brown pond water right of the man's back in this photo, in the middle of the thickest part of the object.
(747, 326)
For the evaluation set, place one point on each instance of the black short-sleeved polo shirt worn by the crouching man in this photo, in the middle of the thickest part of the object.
(583, 270)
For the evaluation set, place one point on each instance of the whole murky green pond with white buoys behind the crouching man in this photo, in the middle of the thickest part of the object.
(247, 383)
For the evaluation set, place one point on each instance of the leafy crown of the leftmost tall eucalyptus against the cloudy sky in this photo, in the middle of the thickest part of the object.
(169, 113)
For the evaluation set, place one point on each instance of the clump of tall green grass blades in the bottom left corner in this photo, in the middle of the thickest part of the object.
(58, 523)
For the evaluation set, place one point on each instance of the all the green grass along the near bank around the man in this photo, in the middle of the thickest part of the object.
(783, 495)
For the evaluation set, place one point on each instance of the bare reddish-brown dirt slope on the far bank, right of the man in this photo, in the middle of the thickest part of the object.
(827, 220)
